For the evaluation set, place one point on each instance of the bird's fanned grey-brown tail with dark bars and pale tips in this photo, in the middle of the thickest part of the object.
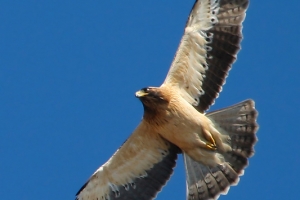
(238, 124)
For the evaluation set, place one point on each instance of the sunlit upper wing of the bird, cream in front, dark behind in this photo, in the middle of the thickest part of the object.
(207, 50)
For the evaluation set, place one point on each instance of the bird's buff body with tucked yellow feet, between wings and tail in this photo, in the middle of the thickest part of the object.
(180, 123)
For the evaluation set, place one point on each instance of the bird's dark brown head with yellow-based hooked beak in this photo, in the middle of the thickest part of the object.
(152, 98)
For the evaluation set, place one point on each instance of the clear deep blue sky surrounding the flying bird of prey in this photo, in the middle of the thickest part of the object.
(69, 71)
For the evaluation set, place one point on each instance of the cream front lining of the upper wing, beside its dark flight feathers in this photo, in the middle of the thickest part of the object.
(187, 71)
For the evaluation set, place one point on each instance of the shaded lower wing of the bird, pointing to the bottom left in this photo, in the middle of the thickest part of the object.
(138, 170)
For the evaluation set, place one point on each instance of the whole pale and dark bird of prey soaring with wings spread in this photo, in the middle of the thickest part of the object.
(215, 145)
